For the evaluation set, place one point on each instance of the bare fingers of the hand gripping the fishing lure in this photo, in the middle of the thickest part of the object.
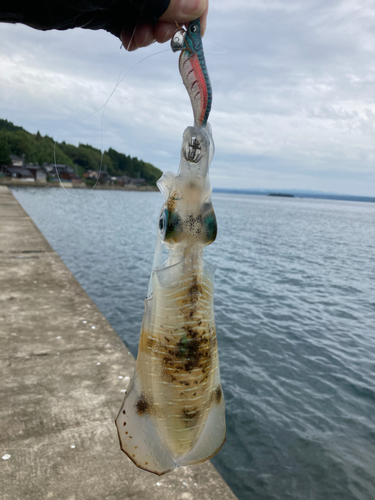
(180, 11)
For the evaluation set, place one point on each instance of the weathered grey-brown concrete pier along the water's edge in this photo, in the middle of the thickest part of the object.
(63, 372)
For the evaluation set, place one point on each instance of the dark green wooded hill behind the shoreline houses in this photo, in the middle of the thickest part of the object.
(39, 149)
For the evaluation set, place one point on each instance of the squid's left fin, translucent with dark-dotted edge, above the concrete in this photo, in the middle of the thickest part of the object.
(139, 438)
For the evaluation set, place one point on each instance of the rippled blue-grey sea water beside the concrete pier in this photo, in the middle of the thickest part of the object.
(295, 315)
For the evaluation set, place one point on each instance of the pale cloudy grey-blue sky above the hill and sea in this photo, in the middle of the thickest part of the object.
(293, 93)
